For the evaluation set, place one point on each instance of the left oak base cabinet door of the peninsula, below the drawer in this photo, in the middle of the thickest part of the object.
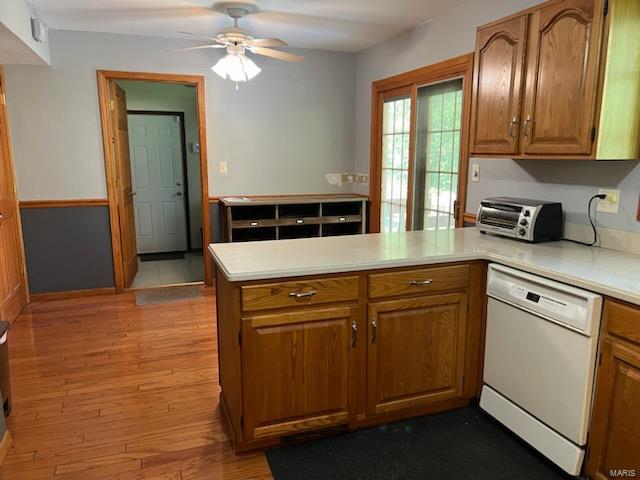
(297, 370)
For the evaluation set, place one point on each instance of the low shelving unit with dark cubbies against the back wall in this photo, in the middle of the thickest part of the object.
(284, 217)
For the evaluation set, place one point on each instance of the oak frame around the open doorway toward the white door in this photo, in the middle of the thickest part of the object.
(105, 77)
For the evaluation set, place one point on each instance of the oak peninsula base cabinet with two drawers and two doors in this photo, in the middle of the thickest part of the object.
(307, 356)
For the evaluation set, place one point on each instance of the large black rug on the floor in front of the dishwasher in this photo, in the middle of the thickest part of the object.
(462, 444)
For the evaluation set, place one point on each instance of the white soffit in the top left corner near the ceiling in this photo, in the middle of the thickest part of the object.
(15, 16)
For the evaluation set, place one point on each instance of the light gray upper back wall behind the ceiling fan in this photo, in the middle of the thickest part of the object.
(280, 133)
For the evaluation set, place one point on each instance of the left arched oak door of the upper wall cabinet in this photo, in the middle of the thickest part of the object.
(497, 87)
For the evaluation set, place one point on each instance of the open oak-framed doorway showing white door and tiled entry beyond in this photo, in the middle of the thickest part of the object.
(155, 152)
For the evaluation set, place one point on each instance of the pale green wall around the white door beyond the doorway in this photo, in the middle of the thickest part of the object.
(166, 97)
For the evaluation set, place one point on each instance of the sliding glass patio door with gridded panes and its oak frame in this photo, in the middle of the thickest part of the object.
(419, 151)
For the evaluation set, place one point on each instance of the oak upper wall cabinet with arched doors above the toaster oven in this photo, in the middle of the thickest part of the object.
(561, 80)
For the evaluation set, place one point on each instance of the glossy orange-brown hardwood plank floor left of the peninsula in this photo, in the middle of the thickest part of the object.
(103, 389)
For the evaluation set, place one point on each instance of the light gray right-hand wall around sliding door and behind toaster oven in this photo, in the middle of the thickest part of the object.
(452, 34)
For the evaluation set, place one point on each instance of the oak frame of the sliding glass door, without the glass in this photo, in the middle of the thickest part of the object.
(458, 67)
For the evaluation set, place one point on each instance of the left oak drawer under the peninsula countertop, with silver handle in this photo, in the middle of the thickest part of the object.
(303, 292)
